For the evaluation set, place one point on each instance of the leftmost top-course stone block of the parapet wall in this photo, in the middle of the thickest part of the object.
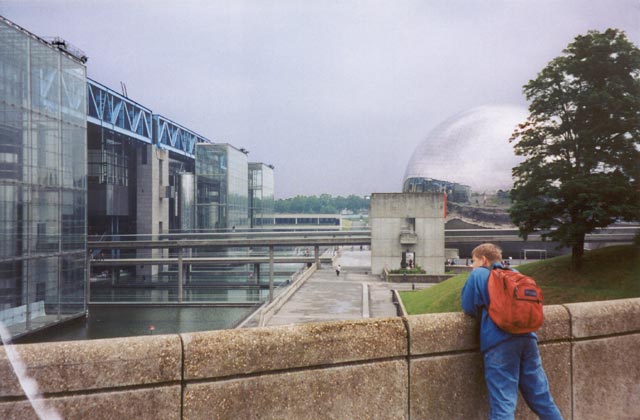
(94, 364)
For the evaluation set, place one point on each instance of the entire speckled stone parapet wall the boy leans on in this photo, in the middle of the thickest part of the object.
(418, 367)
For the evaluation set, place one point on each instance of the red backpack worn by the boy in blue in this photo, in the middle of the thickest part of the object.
(515, 301)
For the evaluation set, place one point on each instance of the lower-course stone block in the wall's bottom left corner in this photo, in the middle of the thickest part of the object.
(140, 404)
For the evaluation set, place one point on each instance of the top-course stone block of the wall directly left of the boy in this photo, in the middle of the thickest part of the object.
(444, 332)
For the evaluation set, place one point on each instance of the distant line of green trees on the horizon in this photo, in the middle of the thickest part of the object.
(325, 203)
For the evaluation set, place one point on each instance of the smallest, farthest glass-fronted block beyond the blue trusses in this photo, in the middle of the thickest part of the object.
(261, 194)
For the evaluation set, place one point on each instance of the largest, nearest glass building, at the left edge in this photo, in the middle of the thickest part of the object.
(43, 136)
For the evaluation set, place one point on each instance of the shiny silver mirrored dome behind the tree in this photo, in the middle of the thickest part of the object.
(471, 148)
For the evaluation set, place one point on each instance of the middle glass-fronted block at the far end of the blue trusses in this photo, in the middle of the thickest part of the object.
(222, 187)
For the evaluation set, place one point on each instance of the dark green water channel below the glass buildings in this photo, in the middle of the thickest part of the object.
(137, 308)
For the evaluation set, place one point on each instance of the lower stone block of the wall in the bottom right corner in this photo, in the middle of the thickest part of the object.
(606, 378)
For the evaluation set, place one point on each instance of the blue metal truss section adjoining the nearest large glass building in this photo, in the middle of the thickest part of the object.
(108, 108)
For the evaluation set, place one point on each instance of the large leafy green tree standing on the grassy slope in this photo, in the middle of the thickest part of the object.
(581, 142)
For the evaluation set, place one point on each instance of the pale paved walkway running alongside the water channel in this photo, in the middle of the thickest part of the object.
(355, 294)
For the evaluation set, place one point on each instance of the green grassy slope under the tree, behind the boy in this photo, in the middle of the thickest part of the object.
(608, 273)
